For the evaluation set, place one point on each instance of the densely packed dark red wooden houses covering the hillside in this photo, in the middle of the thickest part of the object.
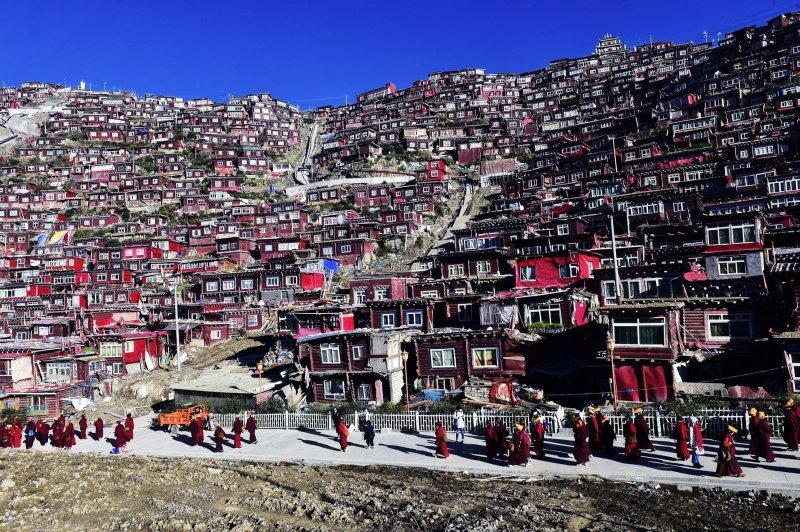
(638, 232)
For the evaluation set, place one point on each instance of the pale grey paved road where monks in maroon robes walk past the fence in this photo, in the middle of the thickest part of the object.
(415, 450)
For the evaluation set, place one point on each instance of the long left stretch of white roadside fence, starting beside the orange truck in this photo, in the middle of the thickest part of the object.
(413, 422)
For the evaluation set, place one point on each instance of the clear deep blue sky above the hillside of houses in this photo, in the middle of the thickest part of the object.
(315, 52)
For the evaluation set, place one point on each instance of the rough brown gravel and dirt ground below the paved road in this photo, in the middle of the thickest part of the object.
(82, 492)
